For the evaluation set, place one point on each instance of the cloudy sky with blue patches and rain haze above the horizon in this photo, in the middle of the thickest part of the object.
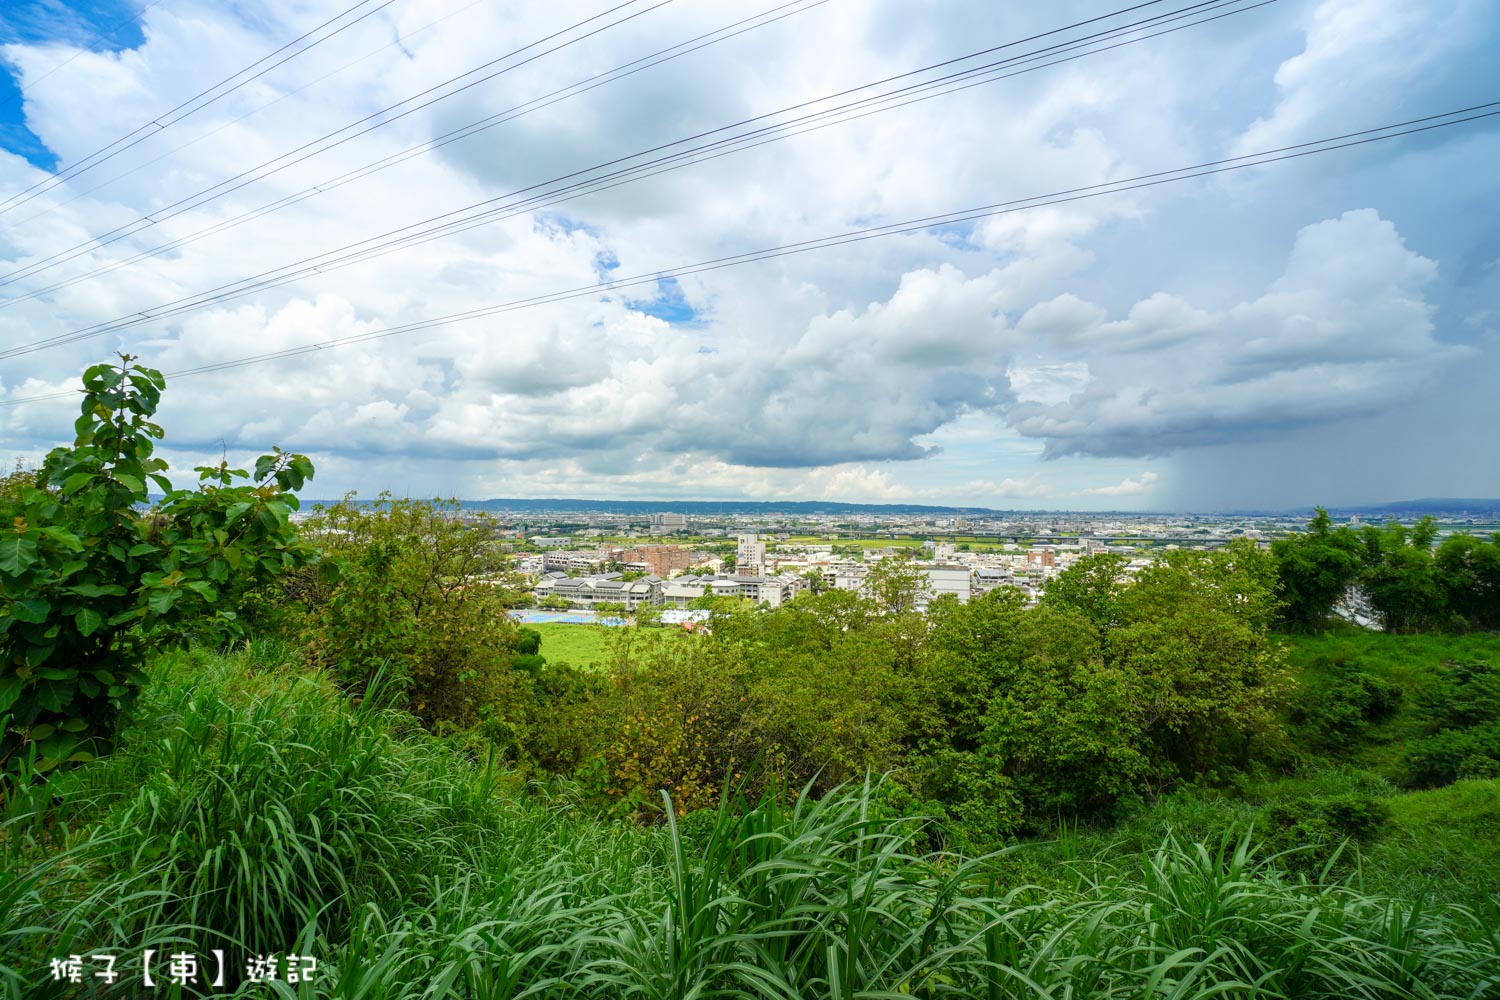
(1321, 331)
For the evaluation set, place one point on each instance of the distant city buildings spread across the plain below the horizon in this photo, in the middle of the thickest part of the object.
(586, 560)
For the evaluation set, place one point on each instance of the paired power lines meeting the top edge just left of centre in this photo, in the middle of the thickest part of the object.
(247, 178)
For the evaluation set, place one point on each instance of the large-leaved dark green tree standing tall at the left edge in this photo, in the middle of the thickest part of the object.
(92, 584)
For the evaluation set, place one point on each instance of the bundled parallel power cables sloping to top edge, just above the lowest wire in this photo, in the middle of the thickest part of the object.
(353, 254)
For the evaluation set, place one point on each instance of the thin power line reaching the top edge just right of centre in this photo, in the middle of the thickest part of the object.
(475, 128)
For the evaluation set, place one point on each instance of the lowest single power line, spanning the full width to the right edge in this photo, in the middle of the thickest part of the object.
(1330, 145)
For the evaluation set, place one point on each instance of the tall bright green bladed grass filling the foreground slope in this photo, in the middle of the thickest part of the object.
(251, 810)
